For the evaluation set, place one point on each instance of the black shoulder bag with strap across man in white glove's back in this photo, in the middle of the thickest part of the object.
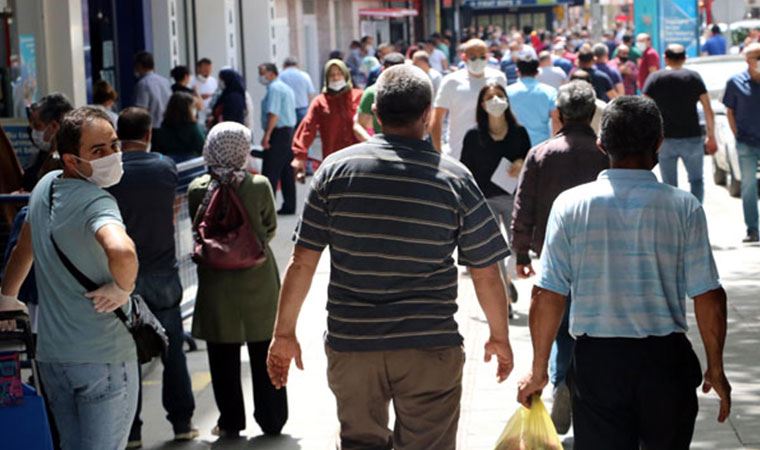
(148, 333)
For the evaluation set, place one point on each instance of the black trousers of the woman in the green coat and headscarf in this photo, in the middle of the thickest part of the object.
(270, 405)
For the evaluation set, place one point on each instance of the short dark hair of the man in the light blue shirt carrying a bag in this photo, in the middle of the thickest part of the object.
(631, 125)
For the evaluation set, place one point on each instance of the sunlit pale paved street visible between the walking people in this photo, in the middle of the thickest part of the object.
(486, 405)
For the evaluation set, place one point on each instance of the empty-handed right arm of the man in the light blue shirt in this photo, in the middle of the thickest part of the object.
(710, 309)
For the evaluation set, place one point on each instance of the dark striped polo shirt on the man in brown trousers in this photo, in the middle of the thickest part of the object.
(393, 210)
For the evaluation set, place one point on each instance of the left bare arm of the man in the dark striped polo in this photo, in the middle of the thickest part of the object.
(295, 286)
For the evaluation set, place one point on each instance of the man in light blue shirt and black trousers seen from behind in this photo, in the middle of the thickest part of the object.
(634, 374)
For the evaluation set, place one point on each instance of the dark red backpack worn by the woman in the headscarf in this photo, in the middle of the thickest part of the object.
(224, 238)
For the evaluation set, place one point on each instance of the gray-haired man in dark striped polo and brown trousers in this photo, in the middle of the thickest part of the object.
(393, 211)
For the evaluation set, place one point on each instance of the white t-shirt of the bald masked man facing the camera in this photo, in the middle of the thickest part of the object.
(459, 95)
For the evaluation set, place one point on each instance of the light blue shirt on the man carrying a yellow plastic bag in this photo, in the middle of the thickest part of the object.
(630, 249)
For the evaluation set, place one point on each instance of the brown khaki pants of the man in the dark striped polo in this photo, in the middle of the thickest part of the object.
(424, 384)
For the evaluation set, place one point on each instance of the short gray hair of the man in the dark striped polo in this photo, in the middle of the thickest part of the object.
(404, 93)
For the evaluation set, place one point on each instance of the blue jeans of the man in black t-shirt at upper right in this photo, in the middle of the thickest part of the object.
(692, 152)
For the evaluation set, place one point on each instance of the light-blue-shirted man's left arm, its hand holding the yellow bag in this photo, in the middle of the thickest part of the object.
(546, 311)
